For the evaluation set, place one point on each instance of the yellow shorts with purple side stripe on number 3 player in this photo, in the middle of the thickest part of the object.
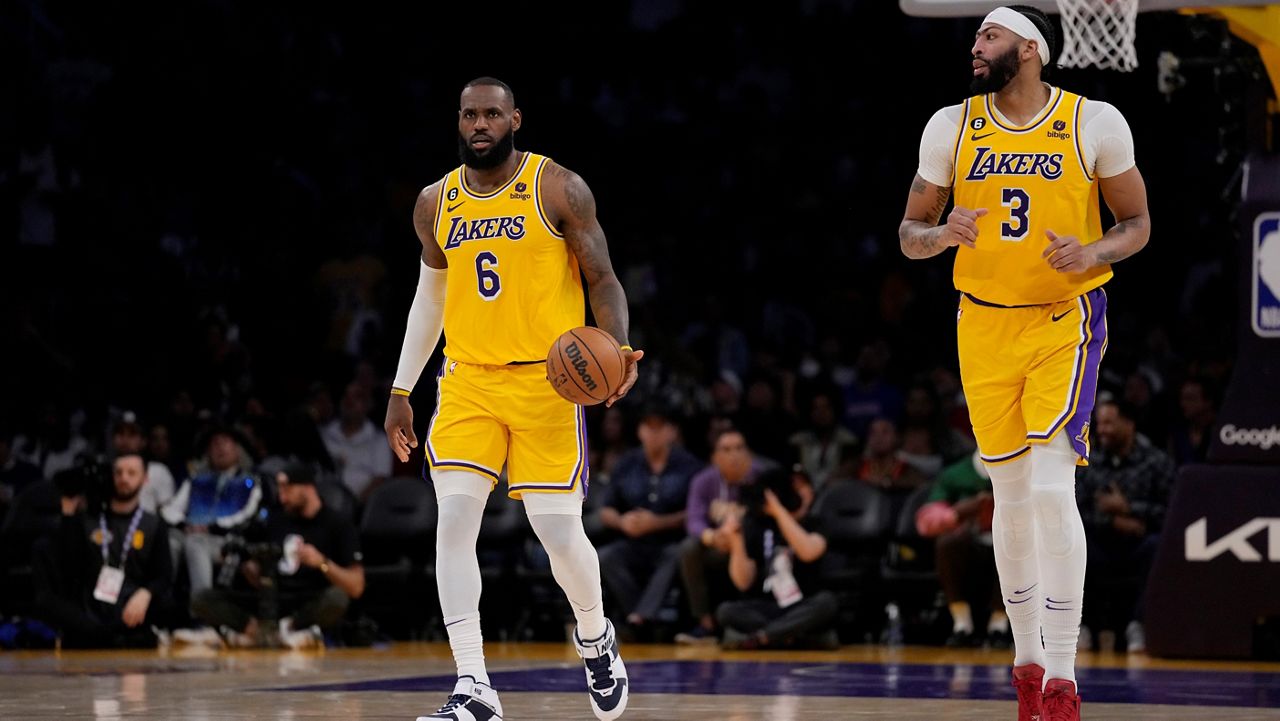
(1032, 372)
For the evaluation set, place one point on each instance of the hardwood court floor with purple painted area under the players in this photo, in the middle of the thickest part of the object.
(546, 682)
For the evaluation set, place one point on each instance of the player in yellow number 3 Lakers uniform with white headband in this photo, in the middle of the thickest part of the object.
(1026, 162)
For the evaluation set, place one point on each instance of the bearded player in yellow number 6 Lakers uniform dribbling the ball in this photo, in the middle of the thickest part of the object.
(506, 240)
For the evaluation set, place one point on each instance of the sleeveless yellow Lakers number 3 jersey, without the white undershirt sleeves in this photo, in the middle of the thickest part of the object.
(1031, 180)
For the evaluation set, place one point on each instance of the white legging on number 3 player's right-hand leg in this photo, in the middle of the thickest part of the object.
(1062, 554)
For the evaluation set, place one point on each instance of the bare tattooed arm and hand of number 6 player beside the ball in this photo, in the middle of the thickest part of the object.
(573, 209)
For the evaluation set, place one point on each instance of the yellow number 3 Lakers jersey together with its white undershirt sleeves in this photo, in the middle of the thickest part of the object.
(1031, 179)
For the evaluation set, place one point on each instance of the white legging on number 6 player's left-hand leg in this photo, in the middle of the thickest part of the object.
(458, 577)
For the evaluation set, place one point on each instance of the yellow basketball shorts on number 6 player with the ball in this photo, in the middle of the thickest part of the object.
(493, 416)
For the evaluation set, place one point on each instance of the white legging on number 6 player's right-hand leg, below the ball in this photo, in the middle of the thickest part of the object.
(577, 569)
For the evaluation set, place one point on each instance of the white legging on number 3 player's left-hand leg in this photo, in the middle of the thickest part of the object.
(1014, 541)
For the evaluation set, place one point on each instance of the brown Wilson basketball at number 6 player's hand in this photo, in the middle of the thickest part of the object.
(586, 366)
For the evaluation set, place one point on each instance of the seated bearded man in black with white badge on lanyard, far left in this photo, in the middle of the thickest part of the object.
(103, 578)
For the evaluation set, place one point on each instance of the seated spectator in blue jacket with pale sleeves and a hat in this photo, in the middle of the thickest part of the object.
(222, 496)
